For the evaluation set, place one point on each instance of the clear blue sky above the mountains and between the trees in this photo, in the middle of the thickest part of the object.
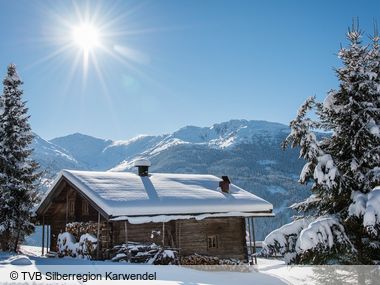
(190, 62)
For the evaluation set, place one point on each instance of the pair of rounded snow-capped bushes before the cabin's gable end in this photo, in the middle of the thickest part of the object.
(67, 245)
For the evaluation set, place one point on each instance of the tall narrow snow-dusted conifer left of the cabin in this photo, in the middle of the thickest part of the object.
(18, 172)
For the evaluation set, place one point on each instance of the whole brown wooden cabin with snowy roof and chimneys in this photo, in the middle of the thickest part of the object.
(190, 212)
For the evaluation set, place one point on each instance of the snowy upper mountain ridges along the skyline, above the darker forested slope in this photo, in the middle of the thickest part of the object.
(80, 151)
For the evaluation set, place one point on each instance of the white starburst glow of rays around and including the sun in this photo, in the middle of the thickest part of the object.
(87, 37)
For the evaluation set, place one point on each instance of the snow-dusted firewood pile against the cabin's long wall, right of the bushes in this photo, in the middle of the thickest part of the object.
(148, 253)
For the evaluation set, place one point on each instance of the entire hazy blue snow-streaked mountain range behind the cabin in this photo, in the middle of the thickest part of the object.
(248, 152)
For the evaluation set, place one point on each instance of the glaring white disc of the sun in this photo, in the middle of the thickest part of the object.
(86, 36)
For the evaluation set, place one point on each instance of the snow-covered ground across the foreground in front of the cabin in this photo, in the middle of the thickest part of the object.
(268, 271)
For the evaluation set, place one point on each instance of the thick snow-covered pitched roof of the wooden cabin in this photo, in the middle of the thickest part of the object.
(127, 194)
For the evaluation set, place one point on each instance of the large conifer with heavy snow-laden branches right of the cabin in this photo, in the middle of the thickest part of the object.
(342, 215)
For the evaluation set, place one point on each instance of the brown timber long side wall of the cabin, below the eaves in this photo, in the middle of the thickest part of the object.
(191, 236)
